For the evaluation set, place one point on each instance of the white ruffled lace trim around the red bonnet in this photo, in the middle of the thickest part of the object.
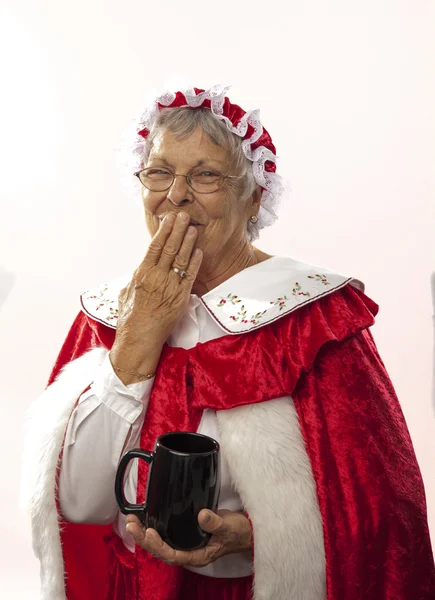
(271, 183)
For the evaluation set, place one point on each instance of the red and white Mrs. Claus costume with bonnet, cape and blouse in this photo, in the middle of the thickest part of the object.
(278, 364)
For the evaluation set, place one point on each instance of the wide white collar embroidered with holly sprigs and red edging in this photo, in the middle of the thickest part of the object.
(250, 299)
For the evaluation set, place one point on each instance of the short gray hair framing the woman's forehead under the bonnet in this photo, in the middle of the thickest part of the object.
(183, 121)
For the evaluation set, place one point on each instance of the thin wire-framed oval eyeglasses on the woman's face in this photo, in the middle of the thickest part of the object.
(200, 180)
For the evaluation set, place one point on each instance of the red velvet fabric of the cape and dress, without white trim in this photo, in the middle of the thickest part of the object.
(369, 486)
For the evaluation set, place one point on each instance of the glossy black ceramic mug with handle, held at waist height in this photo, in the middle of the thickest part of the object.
(184, 478)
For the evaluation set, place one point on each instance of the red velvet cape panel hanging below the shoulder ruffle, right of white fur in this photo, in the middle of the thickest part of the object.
(369, 485)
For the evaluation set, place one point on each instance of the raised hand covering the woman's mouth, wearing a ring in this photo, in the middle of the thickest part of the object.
(156, 297)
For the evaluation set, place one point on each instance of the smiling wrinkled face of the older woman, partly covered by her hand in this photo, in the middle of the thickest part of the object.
(220, 216)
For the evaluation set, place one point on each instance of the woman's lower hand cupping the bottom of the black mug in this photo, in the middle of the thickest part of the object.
(231, 532)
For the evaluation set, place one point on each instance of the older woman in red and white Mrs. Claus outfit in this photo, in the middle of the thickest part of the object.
(321, 495)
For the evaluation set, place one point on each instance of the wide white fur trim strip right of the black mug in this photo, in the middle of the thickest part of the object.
(272, 473)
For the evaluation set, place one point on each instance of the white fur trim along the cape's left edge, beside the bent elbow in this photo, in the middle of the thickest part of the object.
(45, 427)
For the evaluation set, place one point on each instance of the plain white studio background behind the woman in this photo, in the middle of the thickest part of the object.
(345, 88)
